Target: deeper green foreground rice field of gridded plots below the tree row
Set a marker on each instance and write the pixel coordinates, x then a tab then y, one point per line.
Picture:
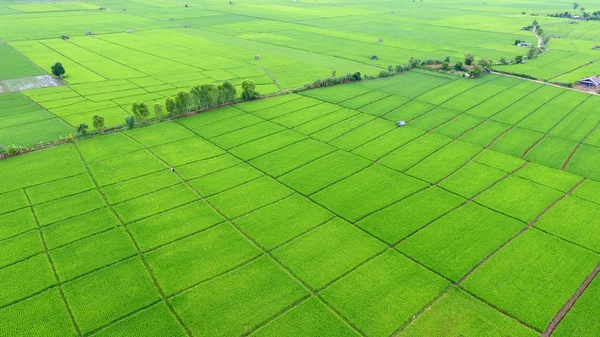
313	214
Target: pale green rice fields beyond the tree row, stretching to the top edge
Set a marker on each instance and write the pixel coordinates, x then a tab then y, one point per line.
298	41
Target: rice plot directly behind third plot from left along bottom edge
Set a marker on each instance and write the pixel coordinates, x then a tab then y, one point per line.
182	264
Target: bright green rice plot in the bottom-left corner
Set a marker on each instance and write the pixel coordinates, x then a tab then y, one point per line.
44	315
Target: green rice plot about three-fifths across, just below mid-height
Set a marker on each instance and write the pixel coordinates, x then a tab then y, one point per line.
367	191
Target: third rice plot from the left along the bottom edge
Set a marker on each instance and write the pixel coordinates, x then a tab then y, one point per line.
237	302
